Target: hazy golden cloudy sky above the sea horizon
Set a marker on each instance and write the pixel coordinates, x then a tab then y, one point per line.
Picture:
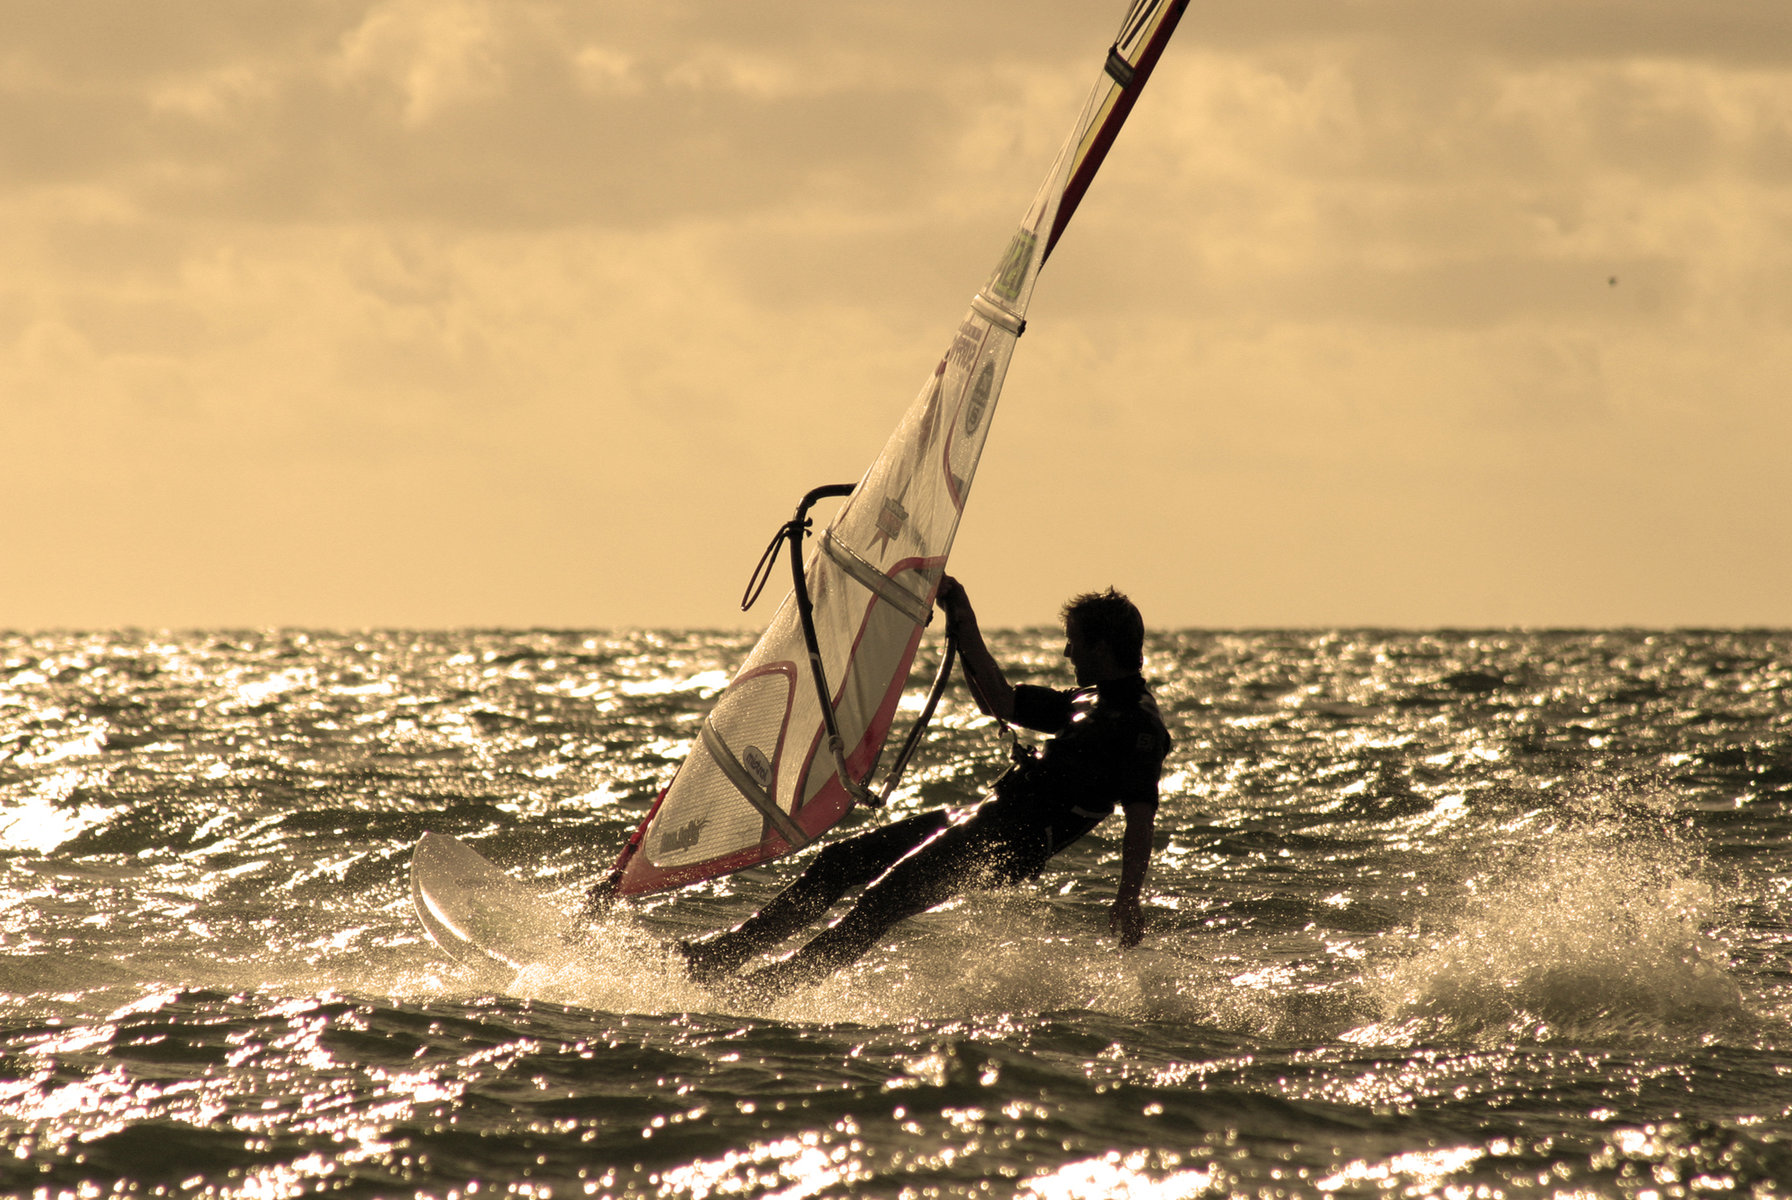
531	314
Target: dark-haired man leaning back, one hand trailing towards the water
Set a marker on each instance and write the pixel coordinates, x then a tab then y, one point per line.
1107	748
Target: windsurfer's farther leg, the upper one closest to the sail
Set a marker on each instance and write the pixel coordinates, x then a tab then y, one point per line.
838	870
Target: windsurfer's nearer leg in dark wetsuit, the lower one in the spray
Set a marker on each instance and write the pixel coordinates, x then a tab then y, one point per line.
979	853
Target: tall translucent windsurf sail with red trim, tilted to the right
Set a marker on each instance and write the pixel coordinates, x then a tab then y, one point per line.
766	776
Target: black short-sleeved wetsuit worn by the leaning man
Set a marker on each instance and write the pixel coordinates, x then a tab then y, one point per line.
1108	750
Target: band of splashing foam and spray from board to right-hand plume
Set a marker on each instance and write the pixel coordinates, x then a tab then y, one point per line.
1605	929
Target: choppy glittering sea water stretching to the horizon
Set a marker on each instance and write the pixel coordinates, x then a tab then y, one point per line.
1433	914
